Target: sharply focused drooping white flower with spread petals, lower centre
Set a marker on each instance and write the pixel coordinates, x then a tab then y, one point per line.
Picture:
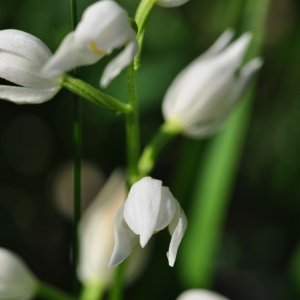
150	207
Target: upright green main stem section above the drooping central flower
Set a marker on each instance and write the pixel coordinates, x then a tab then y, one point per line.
132	129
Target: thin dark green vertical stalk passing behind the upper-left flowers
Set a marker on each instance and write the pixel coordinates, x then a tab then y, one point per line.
76	126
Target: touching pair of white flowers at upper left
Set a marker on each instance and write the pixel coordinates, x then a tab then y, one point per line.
26	61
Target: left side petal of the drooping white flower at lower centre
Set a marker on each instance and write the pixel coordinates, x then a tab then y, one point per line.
125	240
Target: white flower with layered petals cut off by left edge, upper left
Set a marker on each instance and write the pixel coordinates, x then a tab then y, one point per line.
22	57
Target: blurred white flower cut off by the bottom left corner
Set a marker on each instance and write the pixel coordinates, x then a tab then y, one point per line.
16	280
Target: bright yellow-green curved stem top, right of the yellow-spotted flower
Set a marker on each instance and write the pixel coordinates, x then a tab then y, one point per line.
141	17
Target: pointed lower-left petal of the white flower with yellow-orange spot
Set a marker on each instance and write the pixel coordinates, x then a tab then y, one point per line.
70	54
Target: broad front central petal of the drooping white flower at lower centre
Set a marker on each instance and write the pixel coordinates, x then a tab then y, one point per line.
142	208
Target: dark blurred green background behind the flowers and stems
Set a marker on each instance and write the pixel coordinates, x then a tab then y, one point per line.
259	254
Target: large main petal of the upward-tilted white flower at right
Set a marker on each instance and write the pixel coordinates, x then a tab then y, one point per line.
204	86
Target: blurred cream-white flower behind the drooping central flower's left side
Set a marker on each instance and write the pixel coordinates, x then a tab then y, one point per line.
96	234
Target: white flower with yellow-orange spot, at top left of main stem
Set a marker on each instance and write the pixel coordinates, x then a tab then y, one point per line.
104	27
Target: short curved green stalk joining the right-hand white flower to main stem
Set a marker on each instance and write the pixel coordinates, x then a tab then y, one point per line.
151	152
